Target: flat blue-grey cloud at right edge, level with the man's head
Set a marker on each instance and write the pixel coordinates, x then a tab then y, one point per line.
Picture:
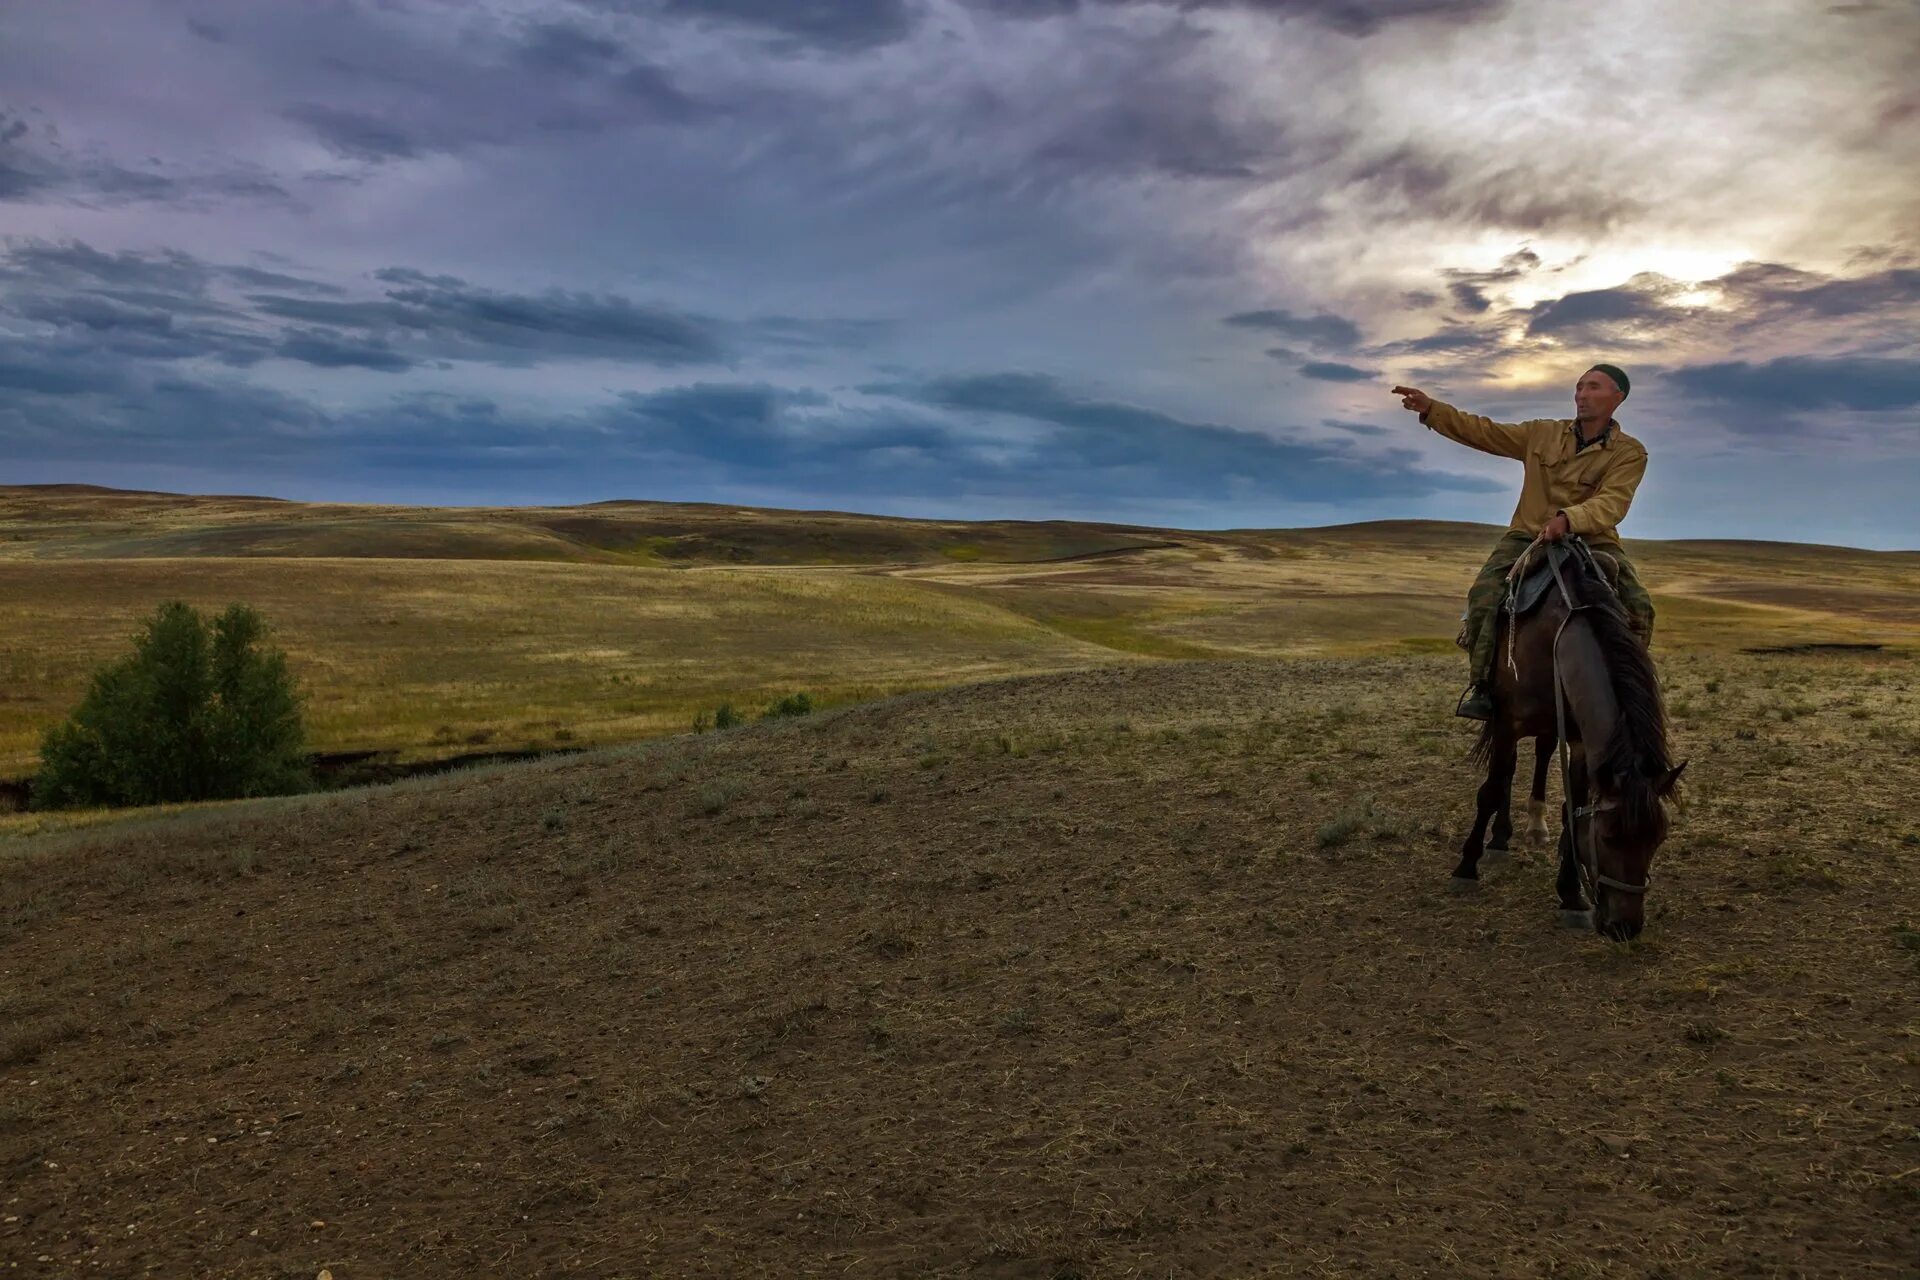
1802	383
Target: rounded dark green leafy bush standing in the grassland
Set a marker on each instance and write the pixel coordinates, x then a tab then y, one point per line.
195	713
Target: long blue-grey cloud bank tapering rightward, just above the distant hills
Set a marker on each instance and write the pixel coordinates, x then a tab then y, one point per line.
780	440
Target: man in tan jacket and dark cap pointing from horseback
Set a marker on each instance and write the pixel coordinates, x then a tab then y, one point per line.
1581	479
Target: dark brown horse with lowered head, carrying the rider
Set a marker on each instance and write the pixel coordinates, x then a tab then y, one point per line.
1573	669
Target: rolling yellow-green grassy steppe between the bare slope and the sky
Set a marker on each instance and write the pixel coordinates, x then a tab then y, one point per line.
429	632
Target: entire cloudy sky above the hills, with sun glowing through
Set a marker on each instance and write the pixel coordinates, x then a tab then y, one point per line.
1128	260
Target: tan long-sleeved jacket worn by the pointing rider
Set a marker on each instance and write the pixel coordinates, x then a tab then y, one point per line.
1593	486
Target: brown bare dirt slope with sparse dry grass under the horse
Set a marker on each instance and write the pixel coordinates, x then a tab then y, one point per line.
1132	972
